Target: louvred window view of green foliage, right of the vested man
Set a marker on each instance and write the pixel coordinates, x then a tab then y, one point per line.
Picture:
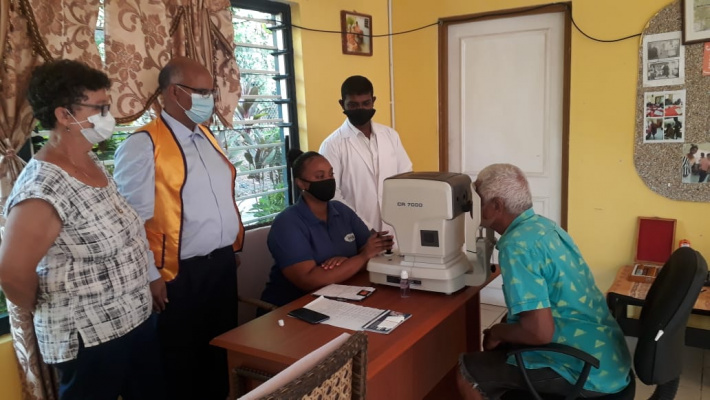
256	143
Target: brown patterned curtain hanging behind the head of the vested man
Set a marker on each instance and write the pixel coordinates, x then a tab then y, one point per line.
140	40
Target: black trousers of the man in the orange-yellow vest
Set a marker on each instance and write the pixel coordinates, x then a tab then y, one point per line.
202	304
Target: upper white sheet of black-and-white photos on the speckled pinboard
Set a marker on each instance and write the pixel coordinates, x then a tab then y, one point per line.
663	60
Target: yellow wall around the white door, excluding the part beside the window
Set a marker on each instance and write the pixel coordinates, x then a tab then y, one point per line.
606	194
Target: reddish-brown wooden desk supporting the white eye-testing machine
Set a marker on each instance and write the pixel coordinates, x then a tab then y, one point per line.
405	364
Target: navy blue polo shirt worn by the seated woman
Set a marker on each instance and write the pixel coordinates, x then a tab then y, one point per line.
297	235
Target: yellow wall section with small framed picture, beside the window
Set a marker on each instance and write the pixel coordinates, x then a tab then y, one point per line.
321	66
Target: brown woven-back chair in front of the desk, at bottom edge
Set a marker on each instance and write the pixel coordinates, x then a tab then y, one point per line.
342	374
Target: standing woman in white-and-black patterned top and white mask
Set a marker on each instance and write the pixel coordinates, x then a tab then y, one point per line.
74	252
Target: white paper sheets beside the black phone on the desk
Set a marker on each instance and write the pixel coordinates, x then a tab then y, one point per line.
354	317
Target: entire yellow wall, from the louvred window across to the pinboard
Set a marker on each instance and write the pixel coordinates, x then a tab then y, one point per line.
605	193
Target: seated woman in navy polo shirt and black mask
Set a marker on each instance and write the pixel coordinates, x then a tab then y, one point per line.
316	241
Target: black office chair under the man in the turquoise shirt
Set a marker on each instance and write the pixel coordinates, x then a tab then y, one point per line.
664	316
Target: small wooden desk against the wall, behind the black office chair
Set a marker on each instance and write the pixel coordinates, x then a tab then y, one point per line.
624	293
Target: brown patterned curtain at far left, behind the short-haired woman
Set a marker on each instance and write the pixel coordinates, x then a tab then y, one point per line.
38	30
